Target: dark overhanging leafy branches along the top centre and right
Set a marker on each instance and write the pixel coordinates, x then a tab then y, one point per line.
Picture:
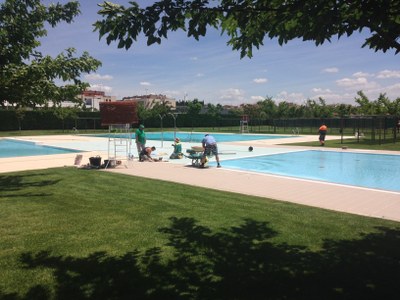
249	22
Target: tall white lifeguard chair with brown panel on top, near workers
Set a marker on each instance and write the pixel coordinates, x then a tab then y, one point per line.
118	116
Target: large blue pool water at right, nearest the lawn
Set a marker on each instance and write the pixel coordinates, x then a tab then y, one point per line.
375	171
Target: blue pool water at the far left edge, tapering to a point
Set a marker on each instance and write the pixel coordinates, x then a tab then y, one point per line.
11	148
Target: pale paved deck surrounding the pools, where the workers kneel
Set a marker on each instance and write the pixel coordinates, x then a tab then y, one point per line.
342	198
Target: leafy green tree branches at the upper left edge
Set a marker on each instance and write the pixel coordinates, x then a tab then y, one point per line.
27	77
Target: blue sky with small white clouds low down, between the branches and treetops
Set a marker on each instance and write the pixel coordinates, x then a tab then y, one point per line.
209	70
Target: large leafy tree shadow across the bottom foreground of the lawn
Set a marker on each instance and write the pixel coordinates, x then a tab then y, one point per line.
235	263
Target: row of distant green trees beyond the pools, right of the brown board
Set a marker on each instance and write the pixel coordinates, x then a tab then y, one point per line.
262	112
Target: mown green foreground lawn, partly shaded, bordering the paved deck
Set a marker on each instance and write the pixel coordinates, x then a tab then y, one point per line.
69	233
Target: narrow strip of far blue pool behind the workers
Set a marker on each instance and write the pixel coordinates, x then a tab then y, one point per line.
196	137
